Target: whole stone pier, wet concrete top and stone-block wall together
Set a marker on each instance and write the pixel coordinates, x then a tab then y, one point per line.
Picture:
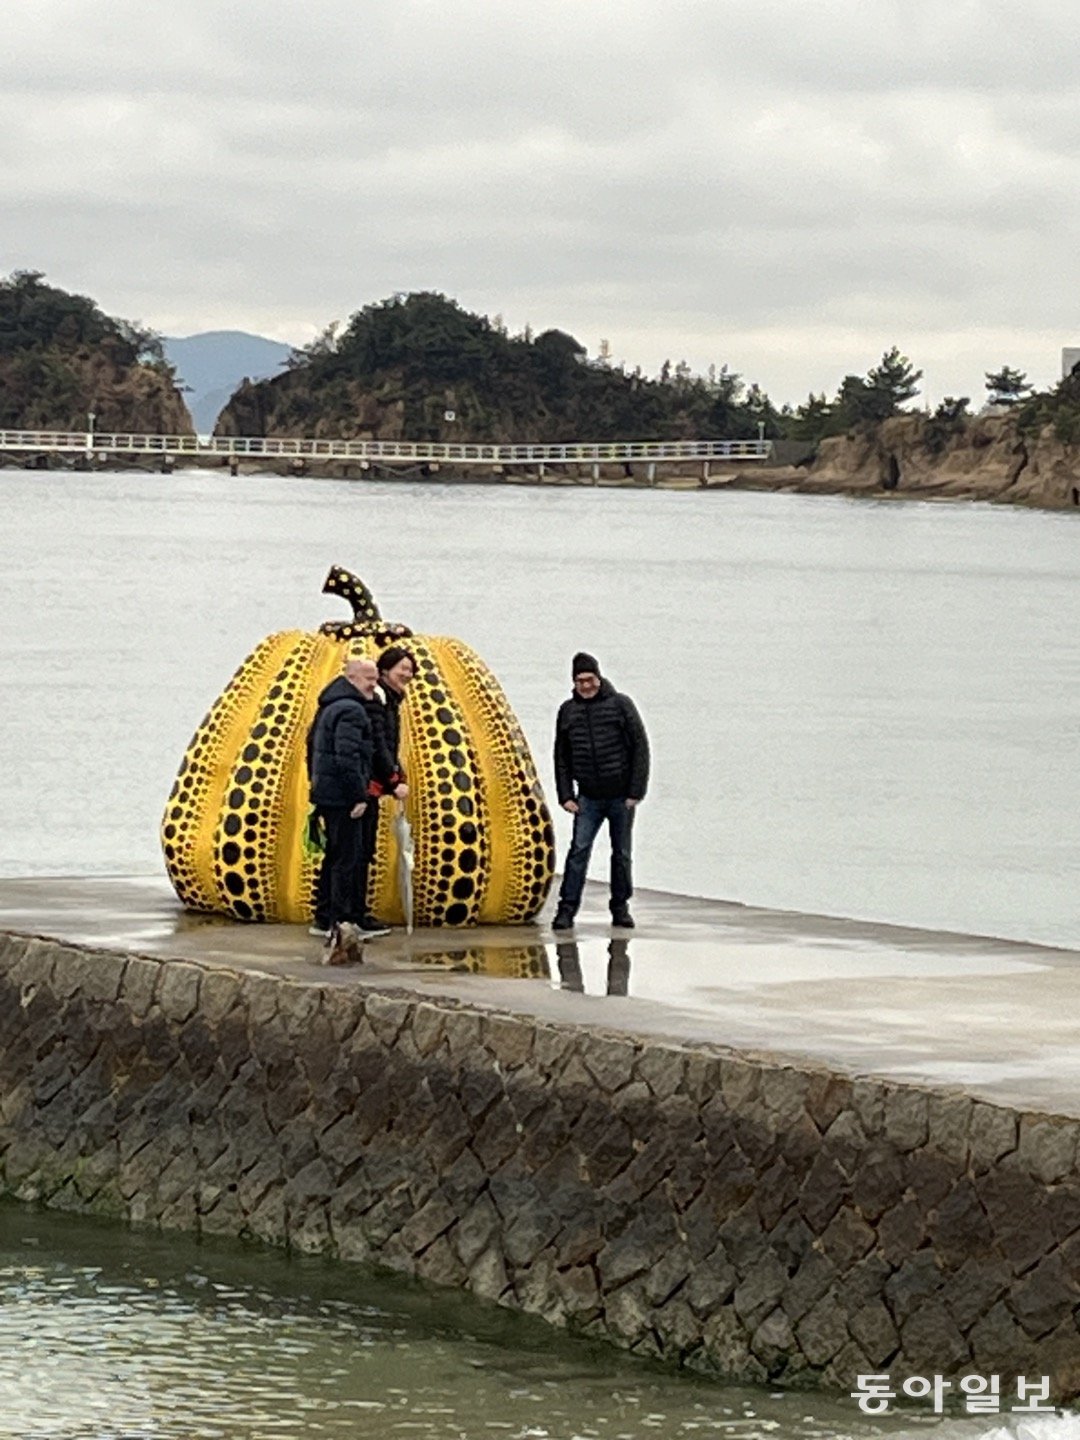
703	1197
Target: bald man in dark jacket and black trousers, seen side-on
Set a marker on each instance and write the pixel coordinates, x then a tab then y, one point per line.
341	757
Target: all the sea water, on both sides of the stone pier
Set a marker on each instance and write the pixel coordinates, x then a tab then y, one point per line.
862	709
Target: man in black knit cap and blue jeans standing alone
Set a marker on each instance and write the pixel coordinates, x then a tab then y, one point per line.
601	773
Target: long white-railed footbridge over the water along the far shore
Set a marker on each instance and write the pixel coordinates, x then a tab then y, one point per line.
102	447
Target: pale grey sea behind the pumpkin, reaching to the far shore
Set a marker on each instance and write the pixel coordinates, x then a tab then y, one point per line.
858	709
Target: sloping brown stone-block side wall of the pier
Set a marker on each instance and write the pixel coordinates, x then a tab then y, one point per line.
741	1216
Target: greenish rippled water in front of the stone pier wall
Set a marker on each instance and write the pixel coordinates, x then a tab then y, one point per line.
110	1336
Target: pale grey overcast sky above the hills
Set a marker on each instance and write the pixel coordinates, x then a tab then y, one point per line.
784	186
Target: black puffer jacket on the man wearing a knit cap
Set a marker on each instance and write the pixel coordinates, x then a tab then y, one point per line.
601	748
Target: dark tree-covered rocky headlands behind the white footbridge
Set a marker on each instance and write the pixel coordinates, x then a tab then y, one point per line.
421	368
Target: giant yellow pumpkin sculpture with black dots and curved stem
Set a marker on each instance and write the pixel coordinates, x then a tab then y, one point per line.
235	823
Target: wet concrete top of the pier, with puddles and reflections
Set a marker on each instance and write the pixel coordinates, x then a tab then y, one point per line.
997	1019
